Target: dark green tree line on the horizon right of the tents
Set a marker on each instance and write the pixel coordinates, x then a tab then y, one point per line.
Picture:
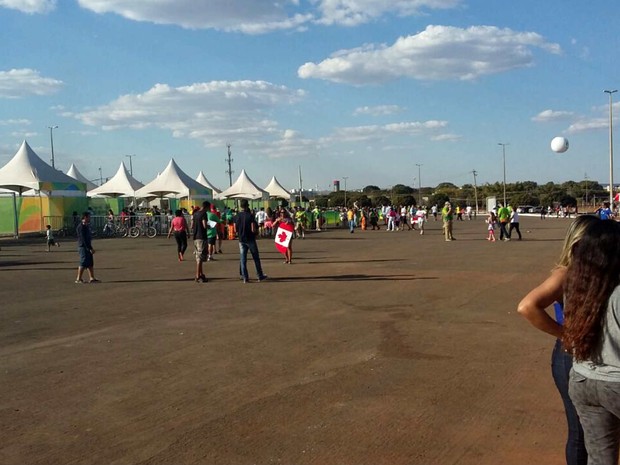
568	194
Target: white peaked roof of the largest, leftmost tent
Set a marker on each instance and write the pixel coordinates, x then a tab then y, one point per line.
27	171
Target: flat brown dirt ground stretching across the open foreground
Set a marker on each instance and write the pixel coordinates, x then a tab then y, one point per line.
372	348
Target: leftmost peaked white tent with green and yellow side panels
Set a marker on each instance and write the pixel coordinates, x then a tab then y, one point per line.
45	194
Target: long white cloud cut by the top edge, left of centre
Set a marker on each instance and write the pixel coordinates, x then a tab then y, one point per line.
248	16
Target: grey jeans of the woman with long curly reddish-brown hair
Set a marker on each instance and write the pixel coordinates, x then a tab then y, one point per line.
598	405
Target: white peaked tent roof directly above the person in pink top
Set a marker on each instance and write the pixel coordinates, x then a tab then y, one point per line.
173	181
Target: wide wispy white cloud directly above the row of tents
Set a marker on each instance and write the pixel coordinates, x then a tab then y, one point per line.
215	112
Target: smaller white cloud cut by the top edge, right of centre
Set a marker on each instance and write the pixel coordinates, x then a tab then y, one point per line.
354	12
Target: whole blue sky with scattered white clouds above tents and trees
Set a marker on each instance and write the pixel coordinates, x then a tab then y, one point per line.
363	89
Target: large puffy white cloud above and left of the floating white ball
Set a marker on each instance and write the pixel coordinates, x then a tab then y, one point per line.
437	53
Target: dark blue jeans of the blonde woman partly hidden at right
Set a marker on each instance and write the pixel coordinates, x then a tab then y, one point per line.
561	363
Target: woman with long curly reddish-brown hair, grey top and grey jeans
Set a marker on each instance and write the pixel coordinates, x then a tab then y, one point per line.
592	334
